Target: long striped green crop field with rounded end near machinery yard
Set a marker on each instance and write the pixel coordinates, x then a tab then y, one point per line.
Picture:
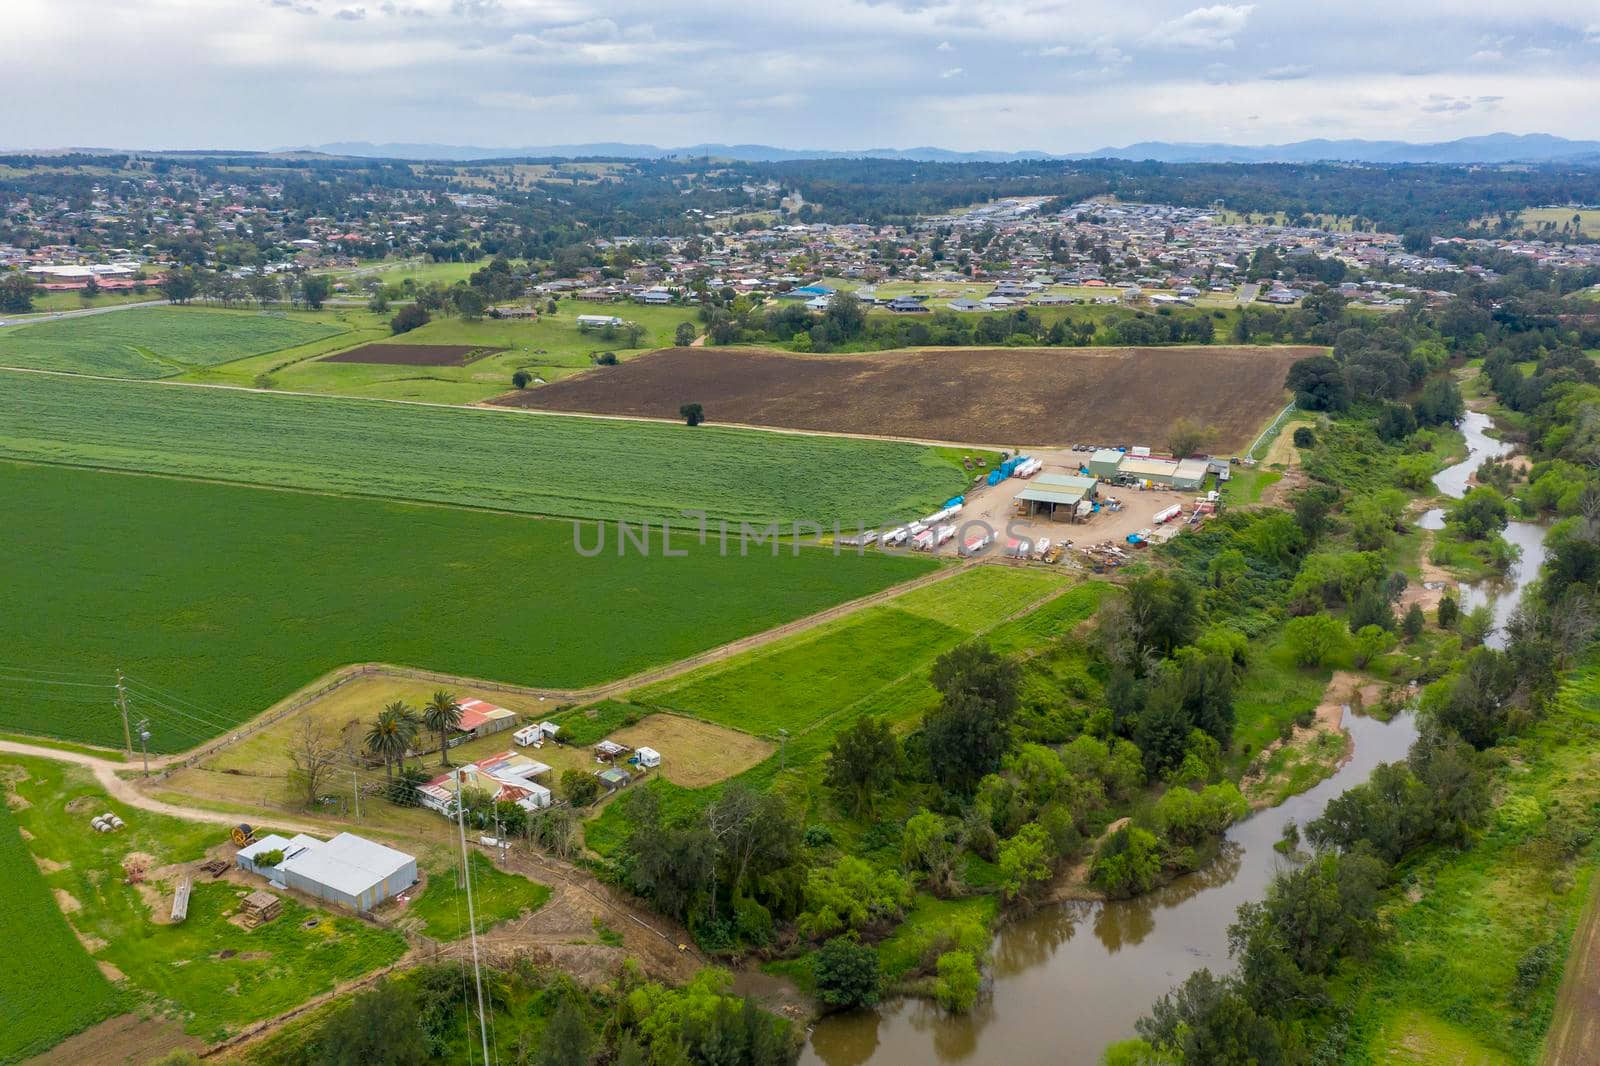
559	467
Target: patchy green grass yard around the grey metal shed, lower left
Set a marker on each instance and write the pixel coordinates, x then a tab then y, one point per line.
214	976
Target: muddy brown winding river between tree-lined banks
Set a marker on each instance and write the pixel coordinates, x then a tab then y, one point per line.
1073	979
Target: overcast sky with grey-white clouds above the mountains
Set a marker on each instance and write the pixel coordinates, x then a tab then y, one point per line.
841	74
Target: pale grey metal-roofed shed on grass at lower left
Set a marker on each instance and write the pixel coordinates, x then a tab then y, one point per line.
348	872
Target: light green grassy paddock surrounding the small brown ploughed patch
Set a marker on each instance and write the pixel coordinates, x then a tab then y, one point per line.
546	348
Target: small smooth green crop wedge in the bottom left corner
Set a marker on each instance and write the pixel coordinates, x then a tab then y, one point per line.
34	929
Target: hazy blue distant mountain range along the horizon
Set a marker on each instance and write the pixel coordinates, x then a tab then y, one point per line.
1495	148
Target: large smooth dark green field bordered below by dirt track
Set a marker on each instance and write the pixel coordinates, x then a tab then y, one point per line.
231	598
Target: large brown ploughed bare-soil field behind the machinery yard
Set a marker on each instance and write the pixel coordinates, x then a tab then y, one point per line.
1028	396
